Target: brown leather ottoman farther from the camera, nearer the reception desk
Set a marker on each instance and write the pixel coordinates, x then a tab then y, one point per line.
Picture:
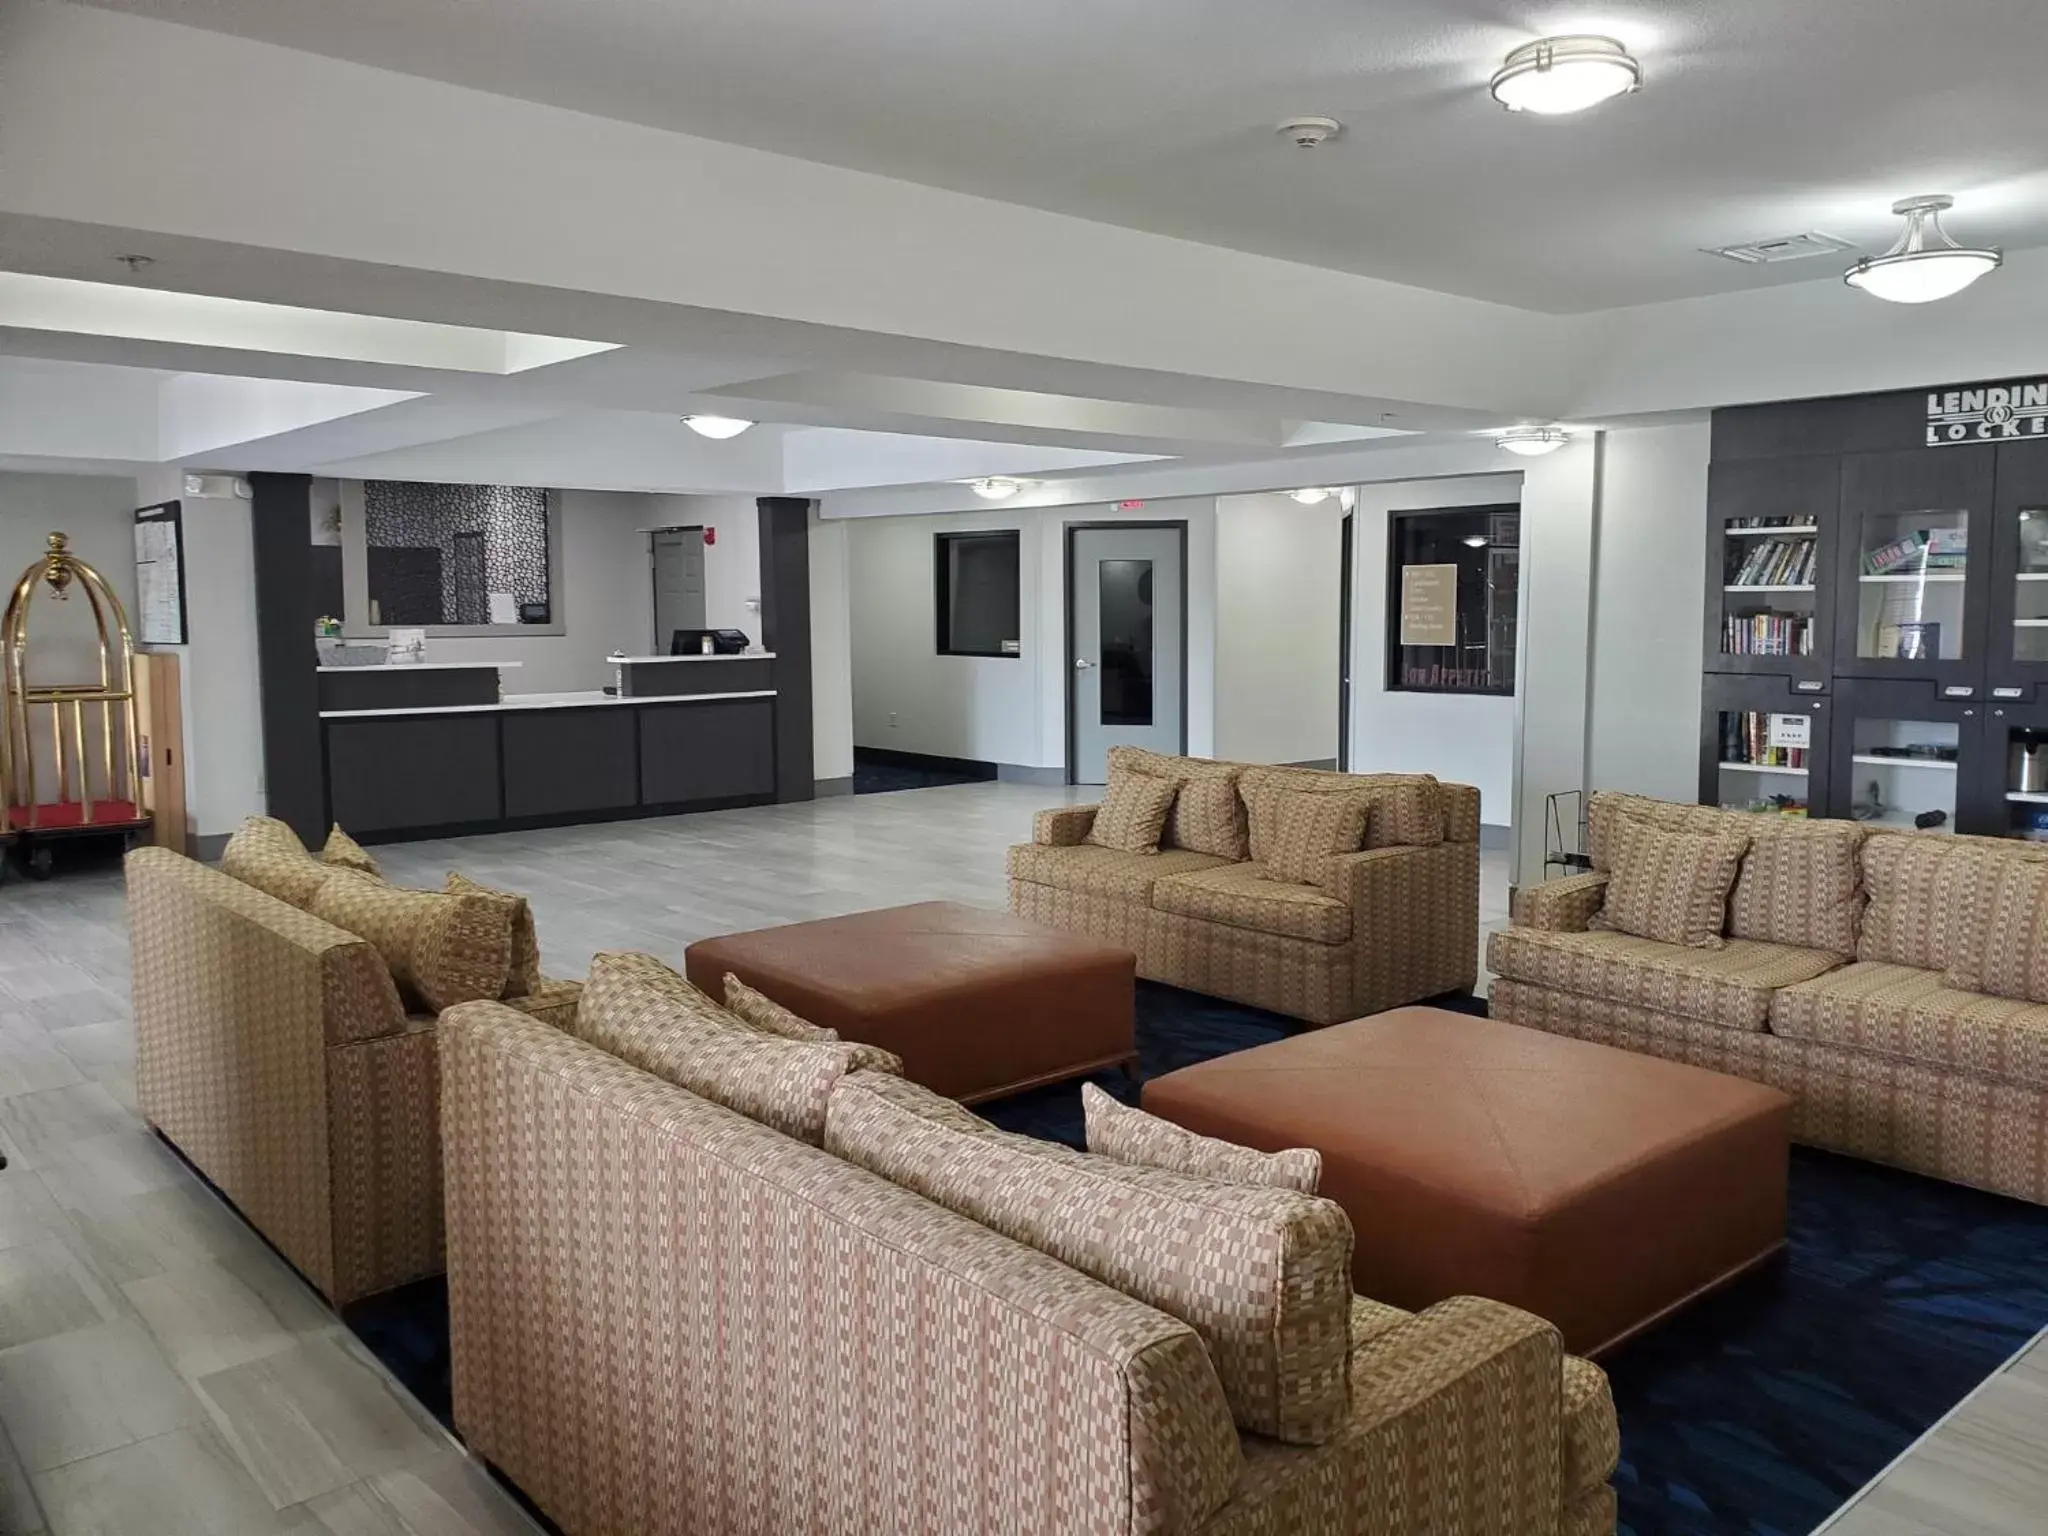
978	1005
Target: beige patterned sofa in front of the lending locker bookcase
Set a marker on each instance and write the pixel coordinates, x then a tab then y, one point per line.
1863	974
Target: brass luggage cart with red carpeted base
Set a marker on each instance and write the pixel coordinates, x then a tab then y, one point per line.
73	738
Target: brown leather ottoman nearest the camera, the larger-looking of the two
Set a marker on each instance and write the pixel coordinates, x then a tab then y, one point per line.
1592	1187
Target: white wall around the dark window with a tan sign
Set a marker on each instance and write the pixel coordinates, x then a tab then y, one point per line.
1461	738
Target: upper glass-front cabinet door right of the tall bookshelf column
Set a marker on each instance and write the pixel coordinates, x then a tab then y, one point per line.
1914	566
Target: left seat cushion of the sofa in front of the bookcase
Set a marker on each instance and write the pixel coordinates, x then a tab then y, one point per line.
1732	986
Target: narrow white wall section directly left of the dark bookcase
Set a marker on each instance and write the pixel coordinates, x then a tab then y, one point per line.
1650	609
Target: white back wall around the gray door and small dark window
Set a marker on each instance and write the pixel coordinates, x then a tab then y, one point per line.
996	708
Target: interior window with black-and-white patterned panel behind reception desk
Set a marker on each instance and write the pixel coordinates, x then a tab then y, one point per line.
439	552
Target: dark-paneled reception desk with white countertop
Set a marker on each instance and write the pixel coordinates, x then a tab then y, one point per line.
527	761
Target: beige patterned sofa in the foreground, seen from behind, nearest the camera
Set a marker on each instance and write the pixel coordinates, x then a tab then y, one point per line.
671	1318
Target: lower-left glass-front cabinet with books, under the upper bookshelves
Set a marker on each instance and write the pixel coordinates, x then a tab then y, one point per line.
1764	746
